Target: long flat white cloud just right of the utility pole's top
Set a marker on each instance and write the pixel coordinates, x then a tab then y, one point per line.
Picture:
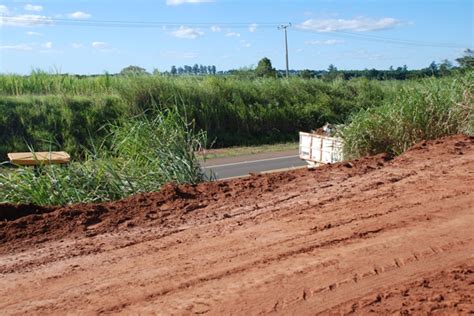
358	24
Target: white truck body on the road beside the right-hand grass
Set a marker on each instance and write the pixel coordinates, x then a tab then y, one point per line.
319	149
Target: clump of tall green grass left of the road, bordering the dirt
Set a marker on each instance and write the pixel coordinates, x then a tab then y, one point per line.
141	155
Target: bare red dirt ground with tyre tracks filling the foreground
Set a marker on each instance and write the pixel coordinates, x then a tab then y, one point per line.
374	235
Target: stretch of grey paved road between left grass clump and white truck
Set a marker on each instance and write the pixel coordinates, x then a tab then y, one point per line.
243	165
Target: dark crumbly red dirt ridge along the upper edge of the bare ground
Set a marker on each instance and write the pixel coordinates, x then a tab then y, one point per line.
168	208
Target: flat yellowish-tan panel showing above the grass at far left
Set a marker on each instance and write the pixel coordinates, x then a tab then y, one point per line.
39	158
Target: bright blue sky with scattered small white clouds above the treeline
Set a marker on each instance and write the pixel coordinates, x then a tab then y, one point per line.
80	36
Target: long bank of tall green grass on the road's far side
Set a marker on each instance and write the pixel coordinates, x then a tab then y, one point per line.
65	110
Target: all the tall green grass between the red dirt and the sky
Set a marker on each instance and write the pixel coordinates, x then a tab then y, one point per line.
133	134
